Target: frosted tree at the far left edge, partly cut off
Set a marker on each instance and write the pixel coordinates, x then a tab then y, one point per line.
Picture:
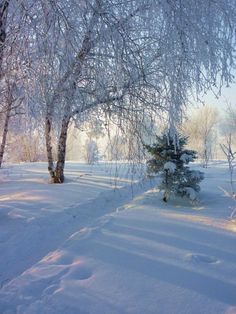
11	67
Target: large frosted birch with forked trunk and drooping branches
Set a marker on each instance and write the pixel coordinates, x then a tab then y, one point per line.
124	57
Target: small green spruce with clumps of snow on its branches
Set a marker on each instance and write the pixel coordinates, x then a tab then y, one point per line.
170	160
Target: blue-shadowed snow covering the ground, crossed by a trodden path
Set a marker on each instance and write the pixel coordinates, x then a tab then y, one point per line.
85	247
